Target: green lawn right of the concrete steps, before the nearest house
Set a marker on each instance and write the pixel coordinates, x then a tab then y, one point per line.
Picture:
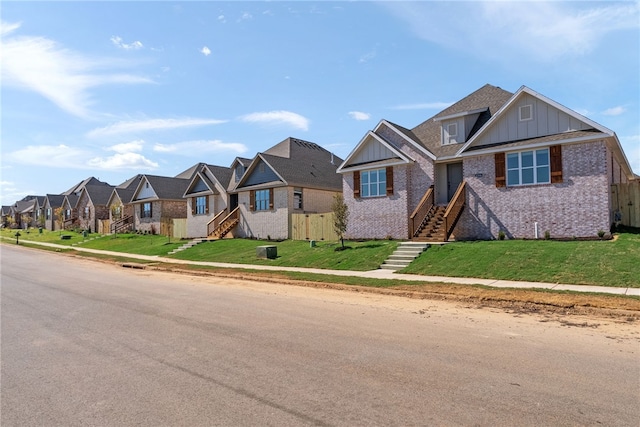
604	263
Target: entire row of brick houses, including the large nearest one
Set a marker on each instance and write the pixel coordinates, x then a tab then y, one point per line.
494	163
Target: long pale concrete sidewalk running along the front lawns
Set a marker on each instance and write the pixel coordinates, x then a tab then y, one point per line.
373	274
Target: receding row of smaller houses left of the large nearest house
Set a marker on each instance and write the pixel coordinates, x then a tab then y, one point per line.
251	198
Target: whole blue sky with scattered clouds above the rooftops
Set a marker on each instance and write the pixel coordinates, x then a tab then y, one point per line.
112	89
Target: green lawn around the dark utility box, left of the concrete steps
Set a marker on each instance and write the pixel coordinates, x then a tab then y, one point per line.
361	256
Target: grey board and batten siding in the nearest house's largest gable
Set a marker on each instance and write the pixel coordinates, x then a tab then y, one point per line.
547	120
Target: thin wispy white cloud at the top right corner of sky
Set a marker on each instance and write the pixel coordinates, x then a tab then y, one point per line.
538	30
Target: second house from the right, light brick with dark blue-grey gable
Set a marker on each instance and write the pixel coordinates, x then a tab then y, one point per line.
294	176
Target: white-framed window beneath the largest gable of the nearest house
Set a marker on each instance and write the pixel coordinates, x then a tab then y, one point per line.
528	167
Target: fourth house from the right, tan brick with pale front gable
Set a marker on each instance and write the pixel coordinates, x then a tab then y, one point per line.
157	200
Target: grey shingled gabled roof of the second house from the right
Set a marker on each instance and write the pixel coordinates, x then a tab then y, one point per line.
296	162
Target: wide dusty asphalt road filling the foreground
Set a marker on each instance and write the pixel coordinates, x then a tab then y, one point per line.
89	344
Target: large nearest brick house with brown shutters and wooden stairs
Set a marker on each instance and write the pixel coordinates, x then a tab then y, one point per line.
494	162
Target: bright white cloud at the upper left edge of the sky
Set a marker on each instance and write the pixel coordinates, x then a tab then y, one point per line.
64	77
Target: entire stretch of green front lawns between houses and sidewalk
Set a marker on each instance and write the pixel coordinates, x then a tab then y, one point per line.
604	263
